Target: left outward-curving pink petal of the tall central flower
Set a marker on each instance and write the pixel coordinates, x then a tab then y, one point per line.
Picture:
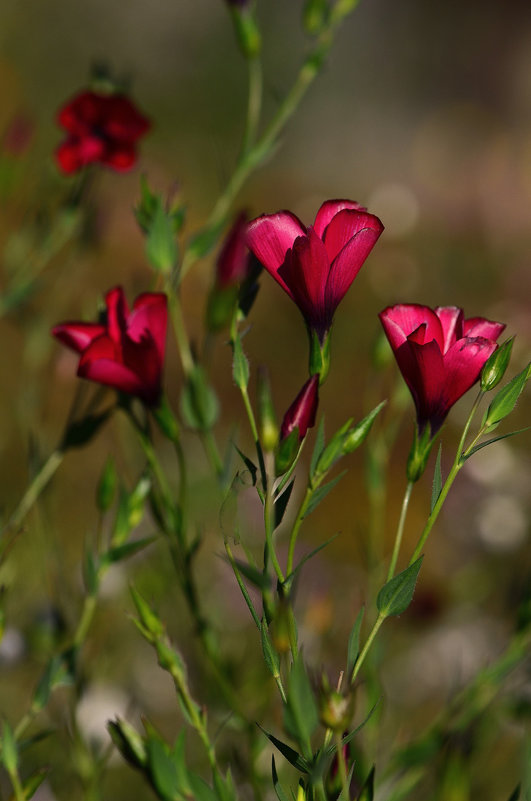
270	237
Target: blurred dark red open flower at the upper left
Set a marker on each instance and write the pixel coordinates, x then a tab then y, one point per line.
101	128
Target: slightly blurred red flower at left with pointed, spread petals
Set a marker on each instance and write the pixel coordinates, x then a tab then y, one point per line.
126	351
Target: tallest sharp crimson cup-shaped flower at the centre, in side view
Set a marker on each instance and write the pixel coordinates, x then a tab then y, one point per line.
315	265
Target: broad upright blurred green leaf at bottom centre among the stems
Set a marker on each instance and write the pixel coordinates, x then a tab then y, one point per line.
300	712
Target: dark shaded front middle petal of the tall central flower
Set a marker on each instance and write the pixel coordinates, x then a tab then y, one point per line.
305	272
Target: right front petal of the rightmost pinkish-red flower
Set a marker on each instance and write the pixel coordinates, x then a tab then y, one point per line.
463	364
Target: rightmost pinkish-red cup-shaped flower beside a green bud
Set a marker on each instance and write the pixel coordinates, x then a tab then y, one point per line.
439	353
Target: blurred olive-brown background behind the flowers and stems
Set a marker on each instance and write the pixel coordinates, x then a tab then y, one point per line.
423	114
